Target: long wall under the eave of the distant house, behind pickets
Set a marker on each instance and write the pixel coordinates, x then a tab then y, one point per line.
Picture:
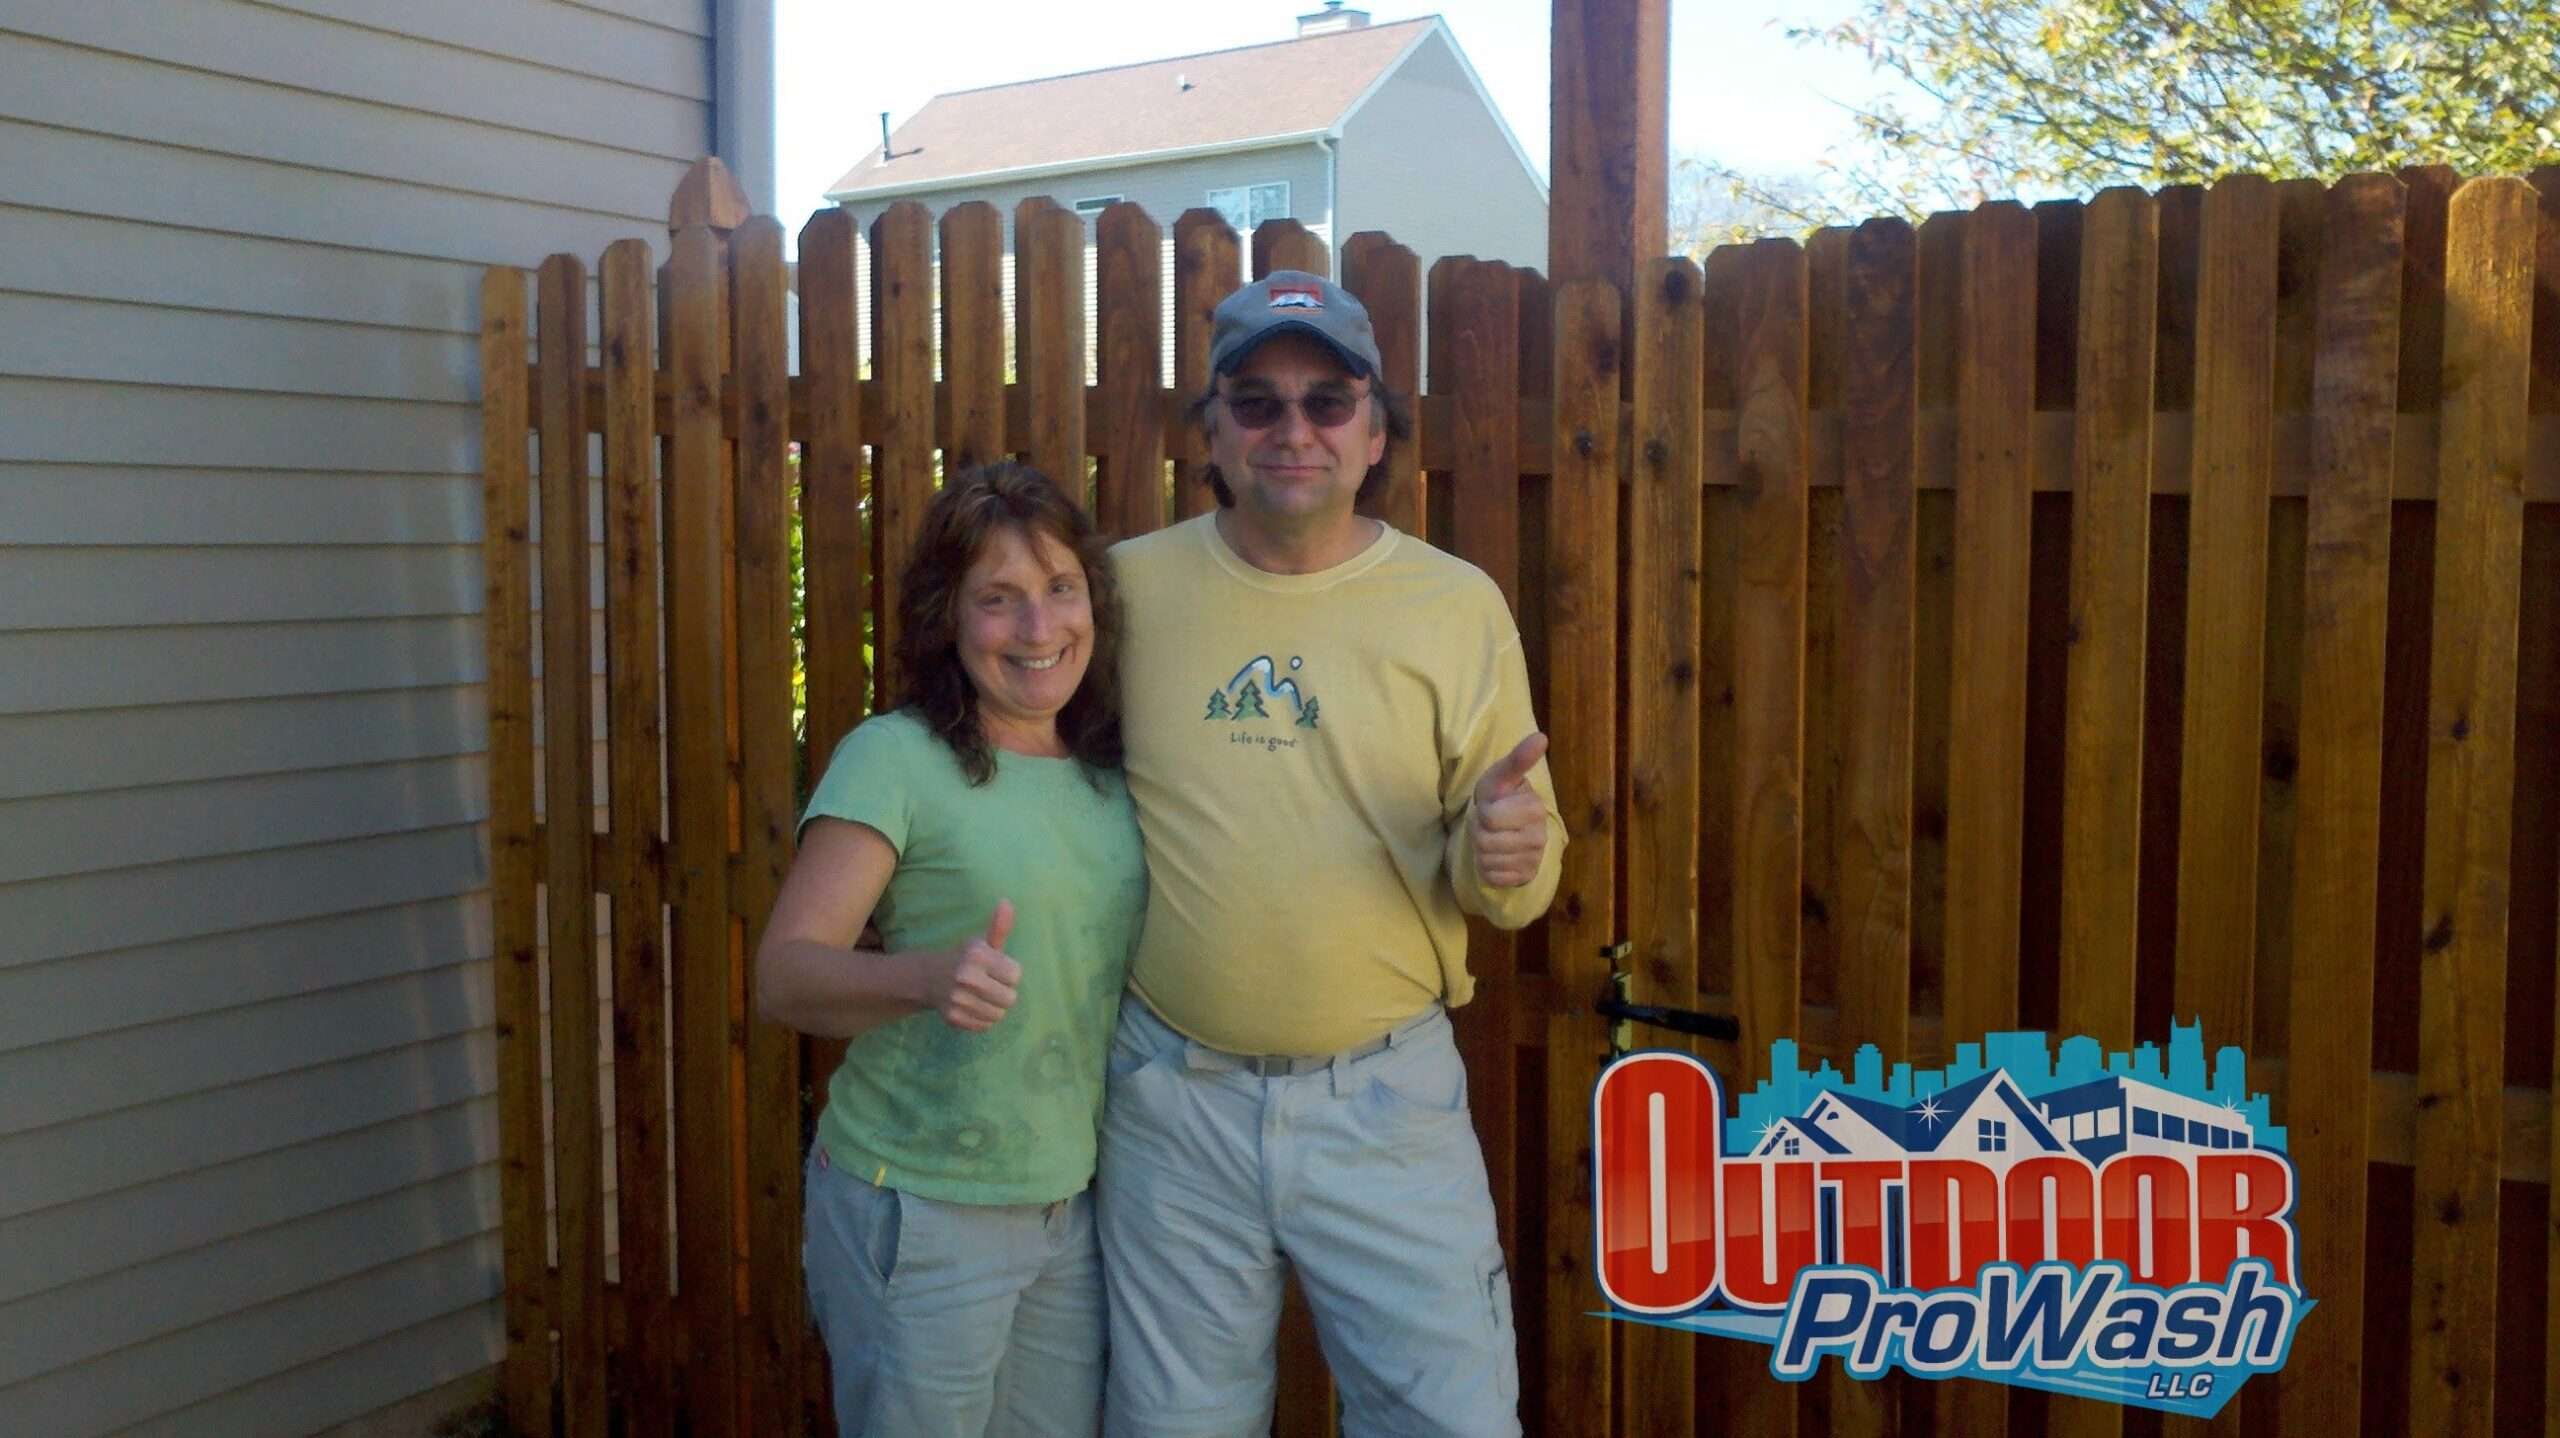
1164	191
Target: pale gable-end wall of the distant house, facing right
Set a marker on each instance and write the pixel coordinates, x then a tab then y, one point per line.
1427	162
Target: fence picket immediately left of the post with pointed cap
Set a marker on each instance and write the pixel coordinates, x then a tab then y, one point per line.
631	871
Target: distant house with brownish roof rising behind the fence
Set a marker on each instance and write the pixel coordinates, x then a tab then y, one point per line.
1348	127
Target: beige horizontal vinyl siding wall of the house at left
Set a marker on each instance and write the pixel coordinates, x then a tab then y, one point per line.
247	1071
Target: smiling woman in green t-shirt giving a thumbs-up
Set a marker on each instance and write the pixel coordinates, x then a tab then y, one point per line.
987	833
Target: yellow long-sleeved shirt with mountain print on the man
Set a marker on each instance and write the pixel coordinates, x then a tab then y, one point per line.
1304	754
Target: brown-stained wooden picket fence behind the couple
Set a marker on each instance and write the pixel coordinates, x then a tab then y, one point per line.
2036	618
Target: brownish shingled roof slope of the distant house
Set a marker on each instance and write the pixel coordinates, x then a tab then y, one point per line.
1169	106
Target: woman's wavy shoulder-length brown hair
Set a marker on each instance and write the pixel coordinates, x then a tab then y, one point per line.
959	526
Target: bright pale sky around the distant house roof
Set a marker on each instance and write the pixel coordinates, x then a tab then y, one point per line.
1742	91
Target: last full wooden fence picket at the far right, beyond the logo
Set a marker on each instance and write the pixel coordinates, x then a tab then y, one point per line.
2490	255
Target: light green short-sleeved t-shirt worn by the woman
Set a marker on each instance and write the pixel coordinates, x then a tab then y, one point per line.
1007	1114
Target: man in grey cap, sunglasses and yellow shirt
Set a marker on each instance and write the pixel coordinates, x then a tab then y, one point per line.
1335	761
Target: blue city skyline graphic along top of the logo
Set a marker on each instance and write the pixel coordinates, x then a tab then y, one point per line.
2031	1066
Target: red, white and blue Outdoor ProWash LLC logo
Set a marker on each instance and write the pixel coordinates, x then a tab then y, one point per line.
2070	1222
